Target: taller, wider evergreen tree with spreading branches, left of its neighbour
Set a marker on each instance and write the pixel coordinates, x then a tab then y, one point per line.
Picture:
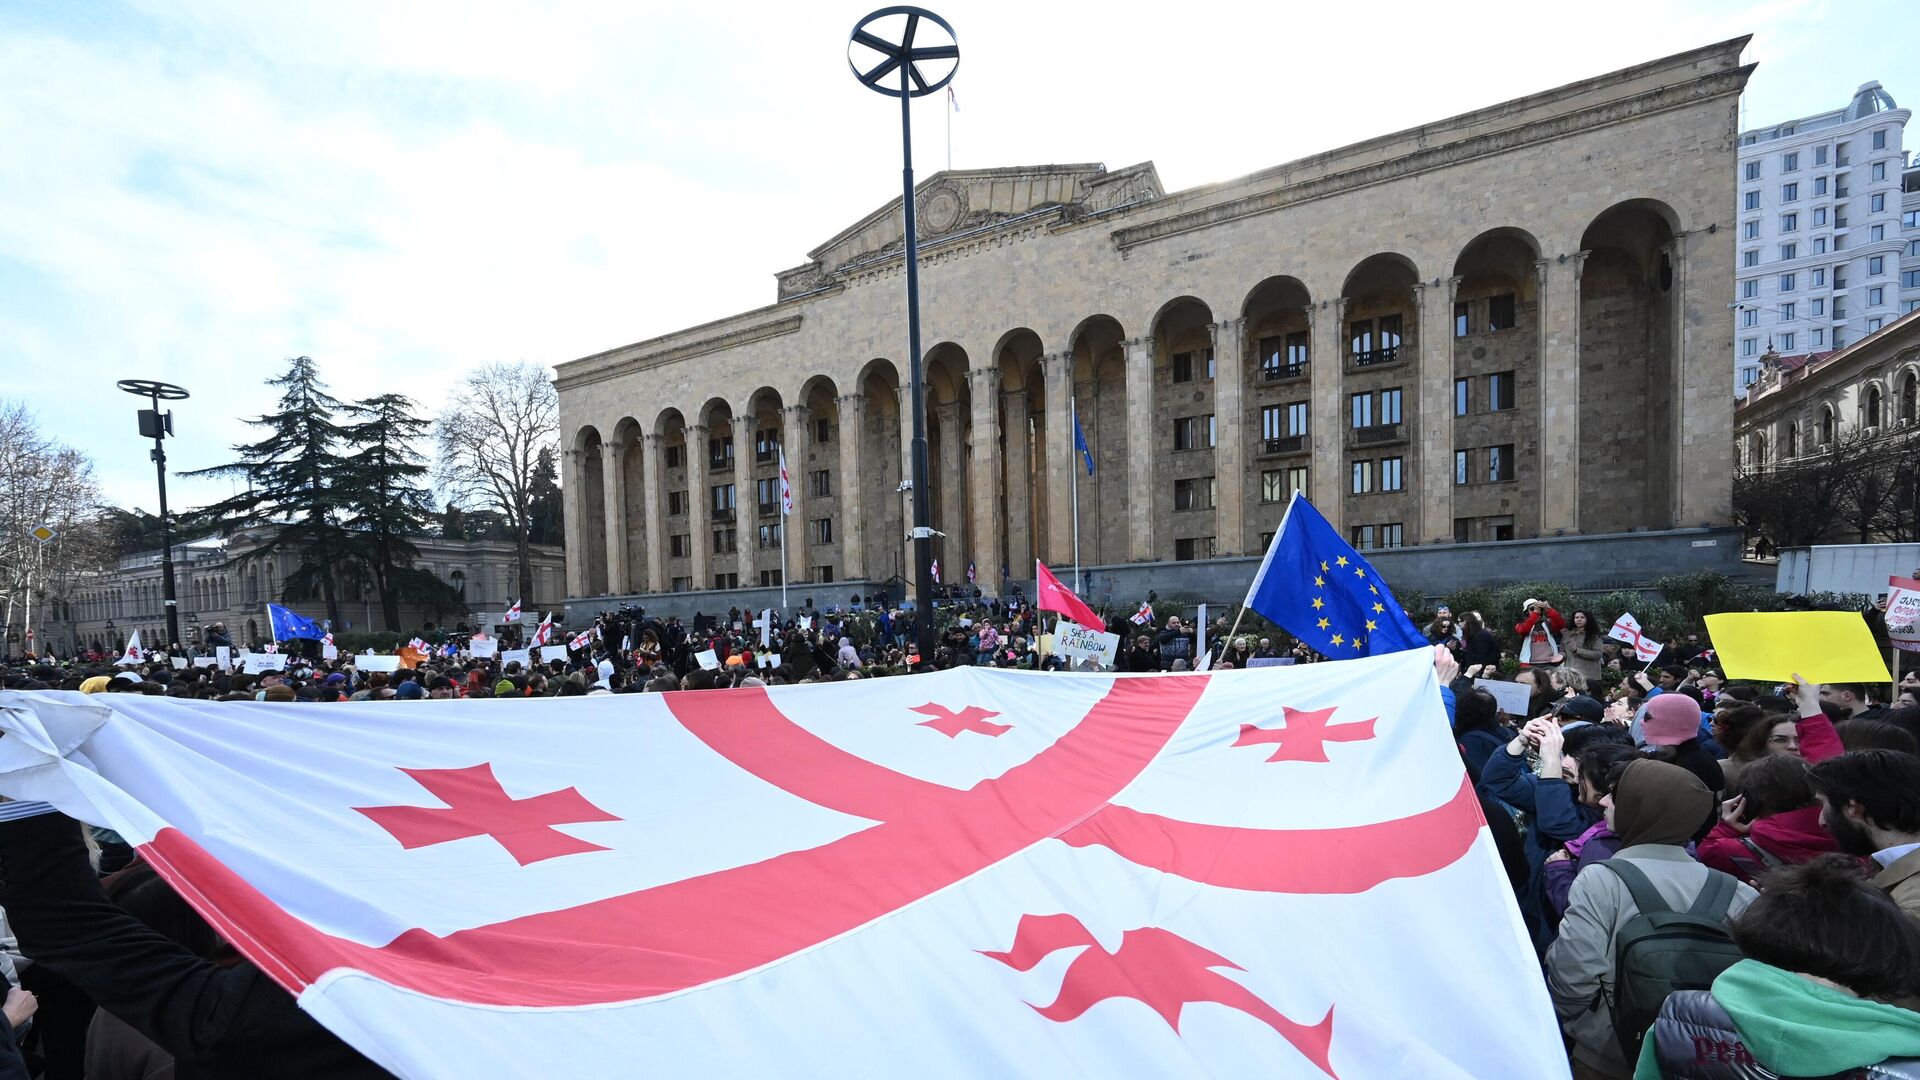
291	485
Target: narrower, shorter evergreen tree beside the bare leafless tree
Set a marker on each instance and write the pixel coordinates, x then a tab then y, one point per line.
381	497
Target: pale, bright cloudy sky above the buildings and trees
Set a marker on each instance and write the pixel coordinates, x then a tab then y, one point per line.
197	191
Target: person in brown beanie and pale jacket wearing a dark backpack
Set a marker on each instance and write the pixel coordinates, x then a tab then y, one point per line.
1641	925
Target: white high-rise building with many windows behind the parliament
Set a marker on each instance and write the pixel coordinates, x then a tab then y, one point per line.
1829	232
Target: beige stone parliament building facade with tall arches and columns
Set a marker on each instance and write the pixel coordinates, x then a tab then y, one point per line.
1558	264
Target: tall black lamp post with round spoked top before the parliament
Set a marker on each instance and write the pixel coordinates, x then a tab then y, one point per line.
919	70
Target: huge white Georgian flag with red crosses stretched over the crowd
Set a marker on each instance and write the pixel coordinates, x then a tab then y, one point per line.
974	873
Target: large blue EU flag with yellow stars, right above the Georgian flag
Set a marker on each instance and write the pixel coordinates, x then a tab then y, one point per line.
1318	589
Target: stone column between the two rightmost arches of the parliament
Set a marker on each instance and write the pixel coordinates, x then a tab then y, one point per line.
1560	395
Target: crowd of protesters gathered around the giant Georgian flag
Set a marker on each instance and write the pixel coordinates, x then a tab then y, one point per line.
1723	879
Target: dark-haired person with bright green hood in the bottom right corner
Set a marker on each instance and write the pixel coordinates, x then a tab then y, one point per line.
1829	987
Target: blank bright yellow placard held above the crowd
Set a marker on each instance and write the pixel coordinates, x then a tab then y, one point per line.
1819	647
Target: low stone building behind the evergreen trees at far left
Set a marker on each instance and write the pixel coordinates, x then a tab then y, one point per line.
226	581
